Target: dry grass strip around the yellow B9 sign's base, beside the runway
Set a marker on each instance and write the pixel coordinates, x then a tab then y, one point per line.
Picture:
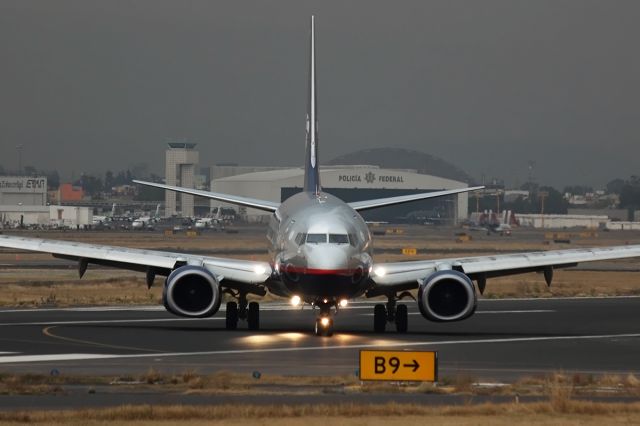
557	387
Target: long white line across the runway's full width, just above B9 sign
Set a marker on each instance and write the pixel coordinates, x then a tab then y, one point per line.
70	357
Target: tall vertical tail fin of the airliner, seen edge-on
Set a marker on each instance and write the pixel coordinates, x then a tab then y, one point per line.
311	166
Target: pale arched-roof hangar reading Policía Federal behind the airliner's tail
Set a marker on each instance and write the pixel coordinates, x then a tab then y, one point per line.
351	183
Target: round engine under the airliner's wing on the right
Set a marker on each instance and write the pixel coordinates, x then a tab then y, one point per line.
447	296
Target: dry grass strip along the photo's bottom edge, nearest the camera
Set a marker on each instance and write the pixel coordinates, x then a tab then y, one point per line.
573	412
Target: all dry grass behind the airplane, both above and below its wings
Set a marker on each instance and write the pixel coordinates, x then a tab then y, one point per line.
42	287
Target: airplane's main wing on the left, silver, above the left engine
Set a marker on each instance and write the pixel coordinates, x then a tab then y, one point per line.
152	262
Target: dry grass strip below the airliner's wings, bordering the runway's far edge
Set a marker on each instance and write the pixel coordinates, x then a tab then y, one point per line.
33	288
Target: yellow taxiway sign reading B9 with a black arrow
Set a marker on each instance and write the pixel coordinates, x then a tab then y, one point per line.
411	366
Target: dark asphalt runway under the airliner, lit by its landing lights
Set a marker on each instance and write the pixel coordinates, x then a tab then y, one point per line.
503	340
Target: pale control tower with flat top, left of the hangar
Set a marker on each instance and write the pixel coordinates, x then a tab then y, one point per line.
181	162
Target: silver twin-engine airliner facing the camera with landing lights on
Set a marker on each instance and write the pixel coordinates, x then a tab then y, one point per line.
321	254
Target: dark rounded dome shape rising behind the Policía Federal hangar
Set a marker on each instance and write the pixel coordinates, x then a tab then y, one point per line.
397	158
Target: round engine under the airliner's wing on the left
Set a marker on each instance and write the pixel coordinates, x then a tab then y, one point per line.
192	291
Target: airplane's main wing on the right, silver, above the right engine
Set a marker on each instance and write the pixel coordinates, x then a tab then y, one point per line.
409	274
